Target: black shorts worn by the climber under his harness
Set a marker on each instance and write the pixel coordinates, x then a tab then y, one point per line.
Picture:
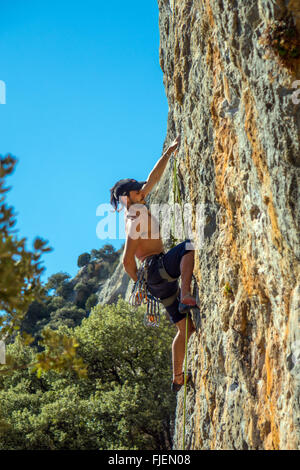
162	288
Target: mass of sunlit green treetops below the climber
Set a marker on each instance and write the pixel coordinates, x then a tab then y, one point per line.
121	400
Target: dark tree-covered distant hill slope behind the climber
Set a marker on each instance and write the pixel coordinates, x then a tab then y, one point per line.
68	300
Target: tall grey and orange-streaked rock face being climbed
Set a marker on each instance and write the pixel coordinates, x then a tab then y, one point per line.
240	158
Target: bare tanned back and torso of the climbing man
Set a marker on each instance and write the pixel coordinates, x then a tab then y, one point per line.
148	243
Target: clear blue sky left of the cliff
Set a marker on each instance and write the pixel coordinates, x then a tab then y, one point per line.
85	107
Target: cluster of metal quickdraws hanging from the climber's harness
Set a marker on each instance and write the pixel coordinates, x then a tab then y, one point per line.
140	295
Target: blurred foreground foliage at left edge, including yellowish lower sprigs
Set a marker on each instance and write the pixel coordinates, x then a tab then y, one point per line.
21	290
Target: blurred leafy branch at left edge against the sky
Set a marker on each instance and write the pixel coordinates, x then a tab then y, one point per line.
20	269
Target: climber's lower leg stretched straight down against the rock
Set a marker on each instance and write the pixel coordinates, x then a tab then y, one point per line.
178	349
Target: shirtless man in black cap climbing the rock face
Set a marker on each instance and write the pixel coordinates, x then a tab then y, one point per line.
179	261
